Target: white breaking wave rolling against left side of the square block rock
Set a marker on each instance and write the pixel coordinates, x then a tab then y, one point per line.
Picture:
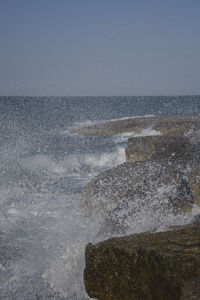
74	165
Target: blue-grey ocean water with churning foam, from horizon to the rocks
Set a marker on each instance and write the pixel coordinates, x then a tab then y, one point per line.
43	169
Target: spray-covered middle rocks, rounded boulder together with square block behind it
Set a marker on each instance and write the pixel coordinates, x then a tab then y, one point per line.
162	175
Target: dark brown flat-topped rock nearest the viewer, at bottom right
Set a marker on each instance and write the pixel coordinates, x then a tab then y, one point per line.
160	266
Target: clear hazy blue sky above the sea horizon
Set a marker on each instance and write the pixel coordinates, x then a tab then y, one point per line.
99	47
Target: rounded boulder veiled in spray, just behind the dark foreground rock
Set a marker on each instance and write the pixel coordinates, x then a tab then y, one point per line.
132	189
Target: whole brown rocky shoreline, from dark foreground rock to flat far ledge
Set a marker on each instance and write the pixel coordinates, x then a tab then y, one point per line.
161	177
